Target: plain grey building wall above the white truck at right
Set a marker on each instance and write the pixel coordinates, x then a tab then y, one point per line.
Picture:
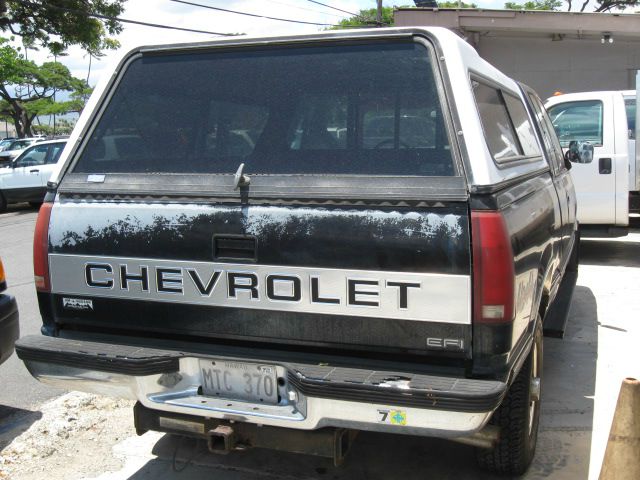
568	65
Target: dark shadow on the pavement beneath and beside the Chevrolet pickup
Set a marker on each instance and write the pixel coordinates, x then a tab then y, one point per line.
563	445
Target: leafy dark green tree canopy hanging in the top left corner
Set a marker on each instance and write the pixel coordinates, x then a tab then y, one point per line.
57	24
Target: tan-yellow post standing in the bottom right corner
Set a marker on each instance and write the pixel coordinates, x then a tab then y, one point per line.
622	457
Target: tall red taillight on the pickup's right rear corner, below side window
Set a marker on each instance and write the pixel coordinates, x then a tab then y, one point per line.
493	270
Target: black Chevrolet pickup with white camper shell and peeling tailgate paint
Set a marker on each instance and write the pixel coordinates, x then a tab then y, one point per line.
278	242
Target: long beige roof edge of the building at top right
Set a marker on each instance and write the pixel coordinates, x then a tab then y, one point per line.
524	22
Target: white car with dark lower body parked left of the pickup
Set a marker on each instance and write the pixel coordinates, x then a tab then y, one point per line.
25	179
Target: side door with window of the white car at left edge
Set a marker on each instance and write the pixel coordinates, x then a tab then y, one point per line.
24	182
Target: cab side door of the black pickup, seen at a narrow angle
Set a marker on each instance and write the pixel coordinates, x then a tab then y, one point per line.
561	178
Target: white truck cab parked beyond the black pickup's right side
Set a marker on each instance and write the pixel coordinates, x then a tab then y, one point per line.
607	179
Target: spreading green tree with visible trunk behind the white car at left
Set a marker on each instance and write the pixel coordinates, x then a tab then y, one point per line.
28	90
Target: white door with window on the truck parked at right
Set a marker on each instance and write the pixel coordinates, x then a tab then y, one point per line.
590	120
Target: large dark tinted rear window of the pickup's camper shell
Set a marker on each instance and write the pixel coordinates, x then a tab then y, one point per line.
366	109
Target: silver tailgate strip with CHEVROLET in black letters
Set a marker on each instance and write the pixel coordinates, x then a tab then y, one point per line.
427	297
